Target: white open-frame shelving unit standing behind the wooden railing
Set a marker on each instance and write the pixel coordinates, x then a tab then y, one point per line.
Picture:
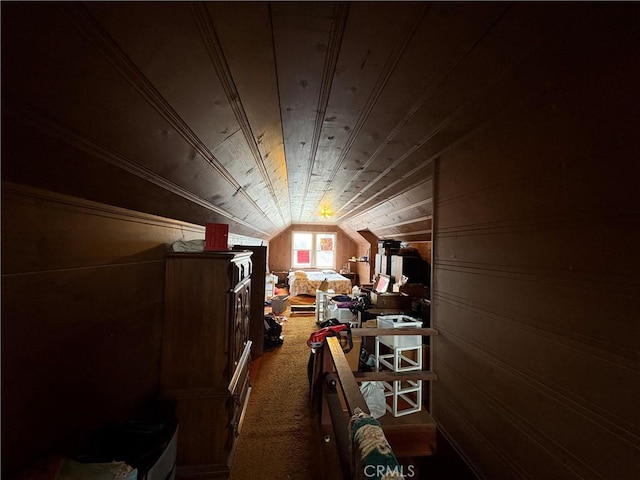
400	353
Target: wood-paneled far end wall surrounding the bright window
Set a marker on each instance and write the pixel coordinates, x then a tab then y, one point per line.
280	246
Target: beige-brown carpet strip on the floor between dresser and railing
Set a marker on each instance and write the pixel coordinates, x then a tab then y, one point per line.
279	439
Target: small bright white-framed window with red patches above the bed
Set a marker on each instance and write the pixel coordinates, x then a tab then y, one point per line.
313	250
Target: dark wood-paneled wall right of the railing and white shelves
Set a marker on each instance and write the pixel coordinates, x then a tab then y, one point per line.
536	273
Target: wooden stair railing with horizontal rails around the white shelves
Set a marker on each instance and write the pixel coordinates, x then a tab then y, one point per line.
335	393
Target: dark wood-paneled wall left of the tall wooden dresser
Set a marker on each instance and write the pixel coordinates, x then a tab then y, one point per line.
82	306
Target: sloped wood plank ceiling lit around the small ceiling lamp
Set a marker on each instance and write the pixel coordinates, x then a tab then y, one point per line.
260	114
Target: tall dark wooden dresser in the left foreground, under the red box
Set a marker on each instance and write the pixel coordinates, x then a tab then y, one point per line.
206	352
